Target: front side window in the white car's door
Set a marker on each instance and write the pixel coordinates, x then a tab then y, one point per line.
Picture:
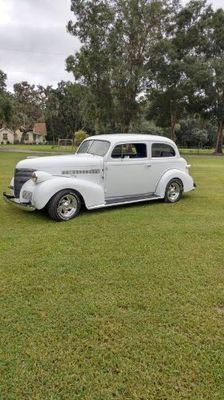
129	150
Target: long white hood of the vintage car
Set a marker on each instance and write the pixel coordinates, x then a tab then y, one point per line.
57	164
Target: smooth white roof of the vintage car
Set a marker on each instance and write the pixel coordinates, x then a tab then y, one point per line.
131	137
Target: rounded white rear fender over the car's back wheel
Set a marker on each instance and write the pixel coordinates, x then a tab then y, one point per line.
185	178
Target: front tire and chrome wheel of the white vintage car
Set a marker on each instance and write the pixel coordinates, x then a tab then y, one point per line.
64	205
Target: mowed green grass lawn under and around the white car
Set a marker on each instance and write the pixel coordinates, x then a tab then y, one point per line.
122	303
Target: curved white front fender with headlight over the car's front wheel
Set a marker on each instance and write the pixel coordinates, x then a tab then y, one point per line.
92	193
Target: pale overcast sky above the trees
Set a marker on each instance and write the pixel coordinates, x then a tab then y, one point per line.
34	42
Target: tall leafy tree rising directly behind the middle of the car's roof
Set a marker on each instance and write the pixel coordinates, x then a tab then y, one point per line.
137	25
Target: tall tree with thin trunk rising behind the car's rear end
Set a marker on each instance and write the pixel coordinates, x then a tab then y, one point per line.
170	85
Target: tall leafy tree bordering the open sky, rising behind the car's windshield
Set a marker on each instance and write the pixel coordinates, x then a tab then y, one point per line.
90	65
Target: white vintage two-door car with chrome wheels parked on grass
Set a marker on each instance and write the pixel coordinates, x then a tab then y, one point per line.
106	170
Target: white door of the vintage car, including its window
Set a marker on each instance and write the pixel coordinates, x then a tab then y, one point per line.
127	171
